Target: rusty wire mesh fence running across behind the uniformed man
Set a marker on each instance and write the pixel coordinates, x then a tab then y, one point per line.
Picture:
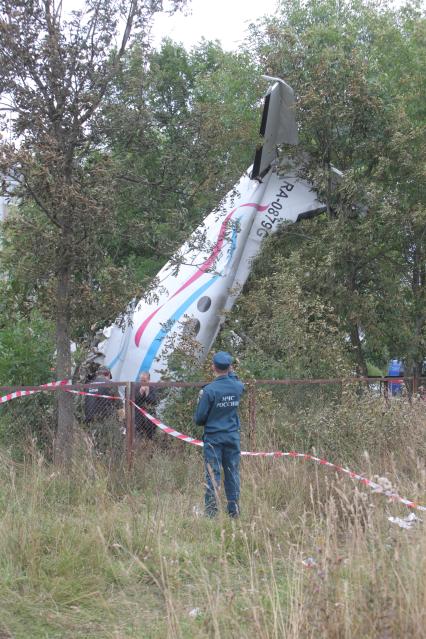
108	412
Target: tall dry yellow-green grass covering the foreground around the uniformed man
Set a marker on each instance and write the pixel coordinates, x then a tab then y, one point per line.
106	553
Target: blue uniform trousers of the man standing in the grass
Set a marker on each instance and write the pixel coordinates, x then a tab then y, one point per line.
222	450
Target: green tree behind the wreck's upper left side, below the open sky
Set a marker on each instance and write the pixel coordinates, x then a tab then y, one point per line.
180	136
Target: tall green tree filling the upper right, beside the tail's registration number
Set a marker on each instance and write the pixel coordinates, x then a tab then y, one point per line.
356	70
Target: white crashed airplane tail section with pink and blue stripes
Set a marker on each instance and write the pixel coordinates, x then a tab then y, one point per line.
208	271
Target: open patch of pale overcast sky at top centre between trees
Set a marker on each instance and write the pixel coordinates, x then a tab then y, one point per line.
224	20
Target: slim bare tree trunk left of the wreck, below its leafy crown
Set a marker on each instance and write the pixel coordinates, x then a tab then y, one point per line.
65	431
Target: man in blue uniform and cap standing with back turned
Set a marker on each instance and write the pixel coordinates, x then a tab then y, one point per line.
217	411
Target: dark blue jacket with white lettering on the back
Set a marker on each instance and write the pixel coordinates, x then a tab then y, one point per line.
218	402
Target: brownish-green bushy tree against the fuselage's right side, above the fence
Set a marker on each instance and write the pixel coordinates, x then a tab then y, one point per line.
283	332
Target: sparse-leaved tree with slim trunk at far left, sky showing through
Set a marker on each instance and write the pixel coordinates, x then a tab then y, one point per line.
54	75
